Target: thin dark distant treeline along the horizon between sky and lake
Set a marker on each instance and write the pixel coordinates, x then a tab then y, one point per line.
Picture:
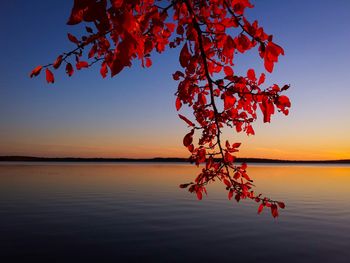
151	160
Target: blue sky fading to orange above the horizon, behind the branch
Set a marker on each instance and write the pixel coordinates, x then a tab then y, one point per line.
133	114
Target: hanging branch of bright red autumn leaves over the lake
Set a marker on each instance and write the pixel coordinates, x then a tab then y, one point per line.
204	30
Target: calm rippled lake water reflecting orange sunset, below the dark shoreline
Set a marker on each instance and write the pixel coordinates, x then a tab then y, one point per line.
137	213
